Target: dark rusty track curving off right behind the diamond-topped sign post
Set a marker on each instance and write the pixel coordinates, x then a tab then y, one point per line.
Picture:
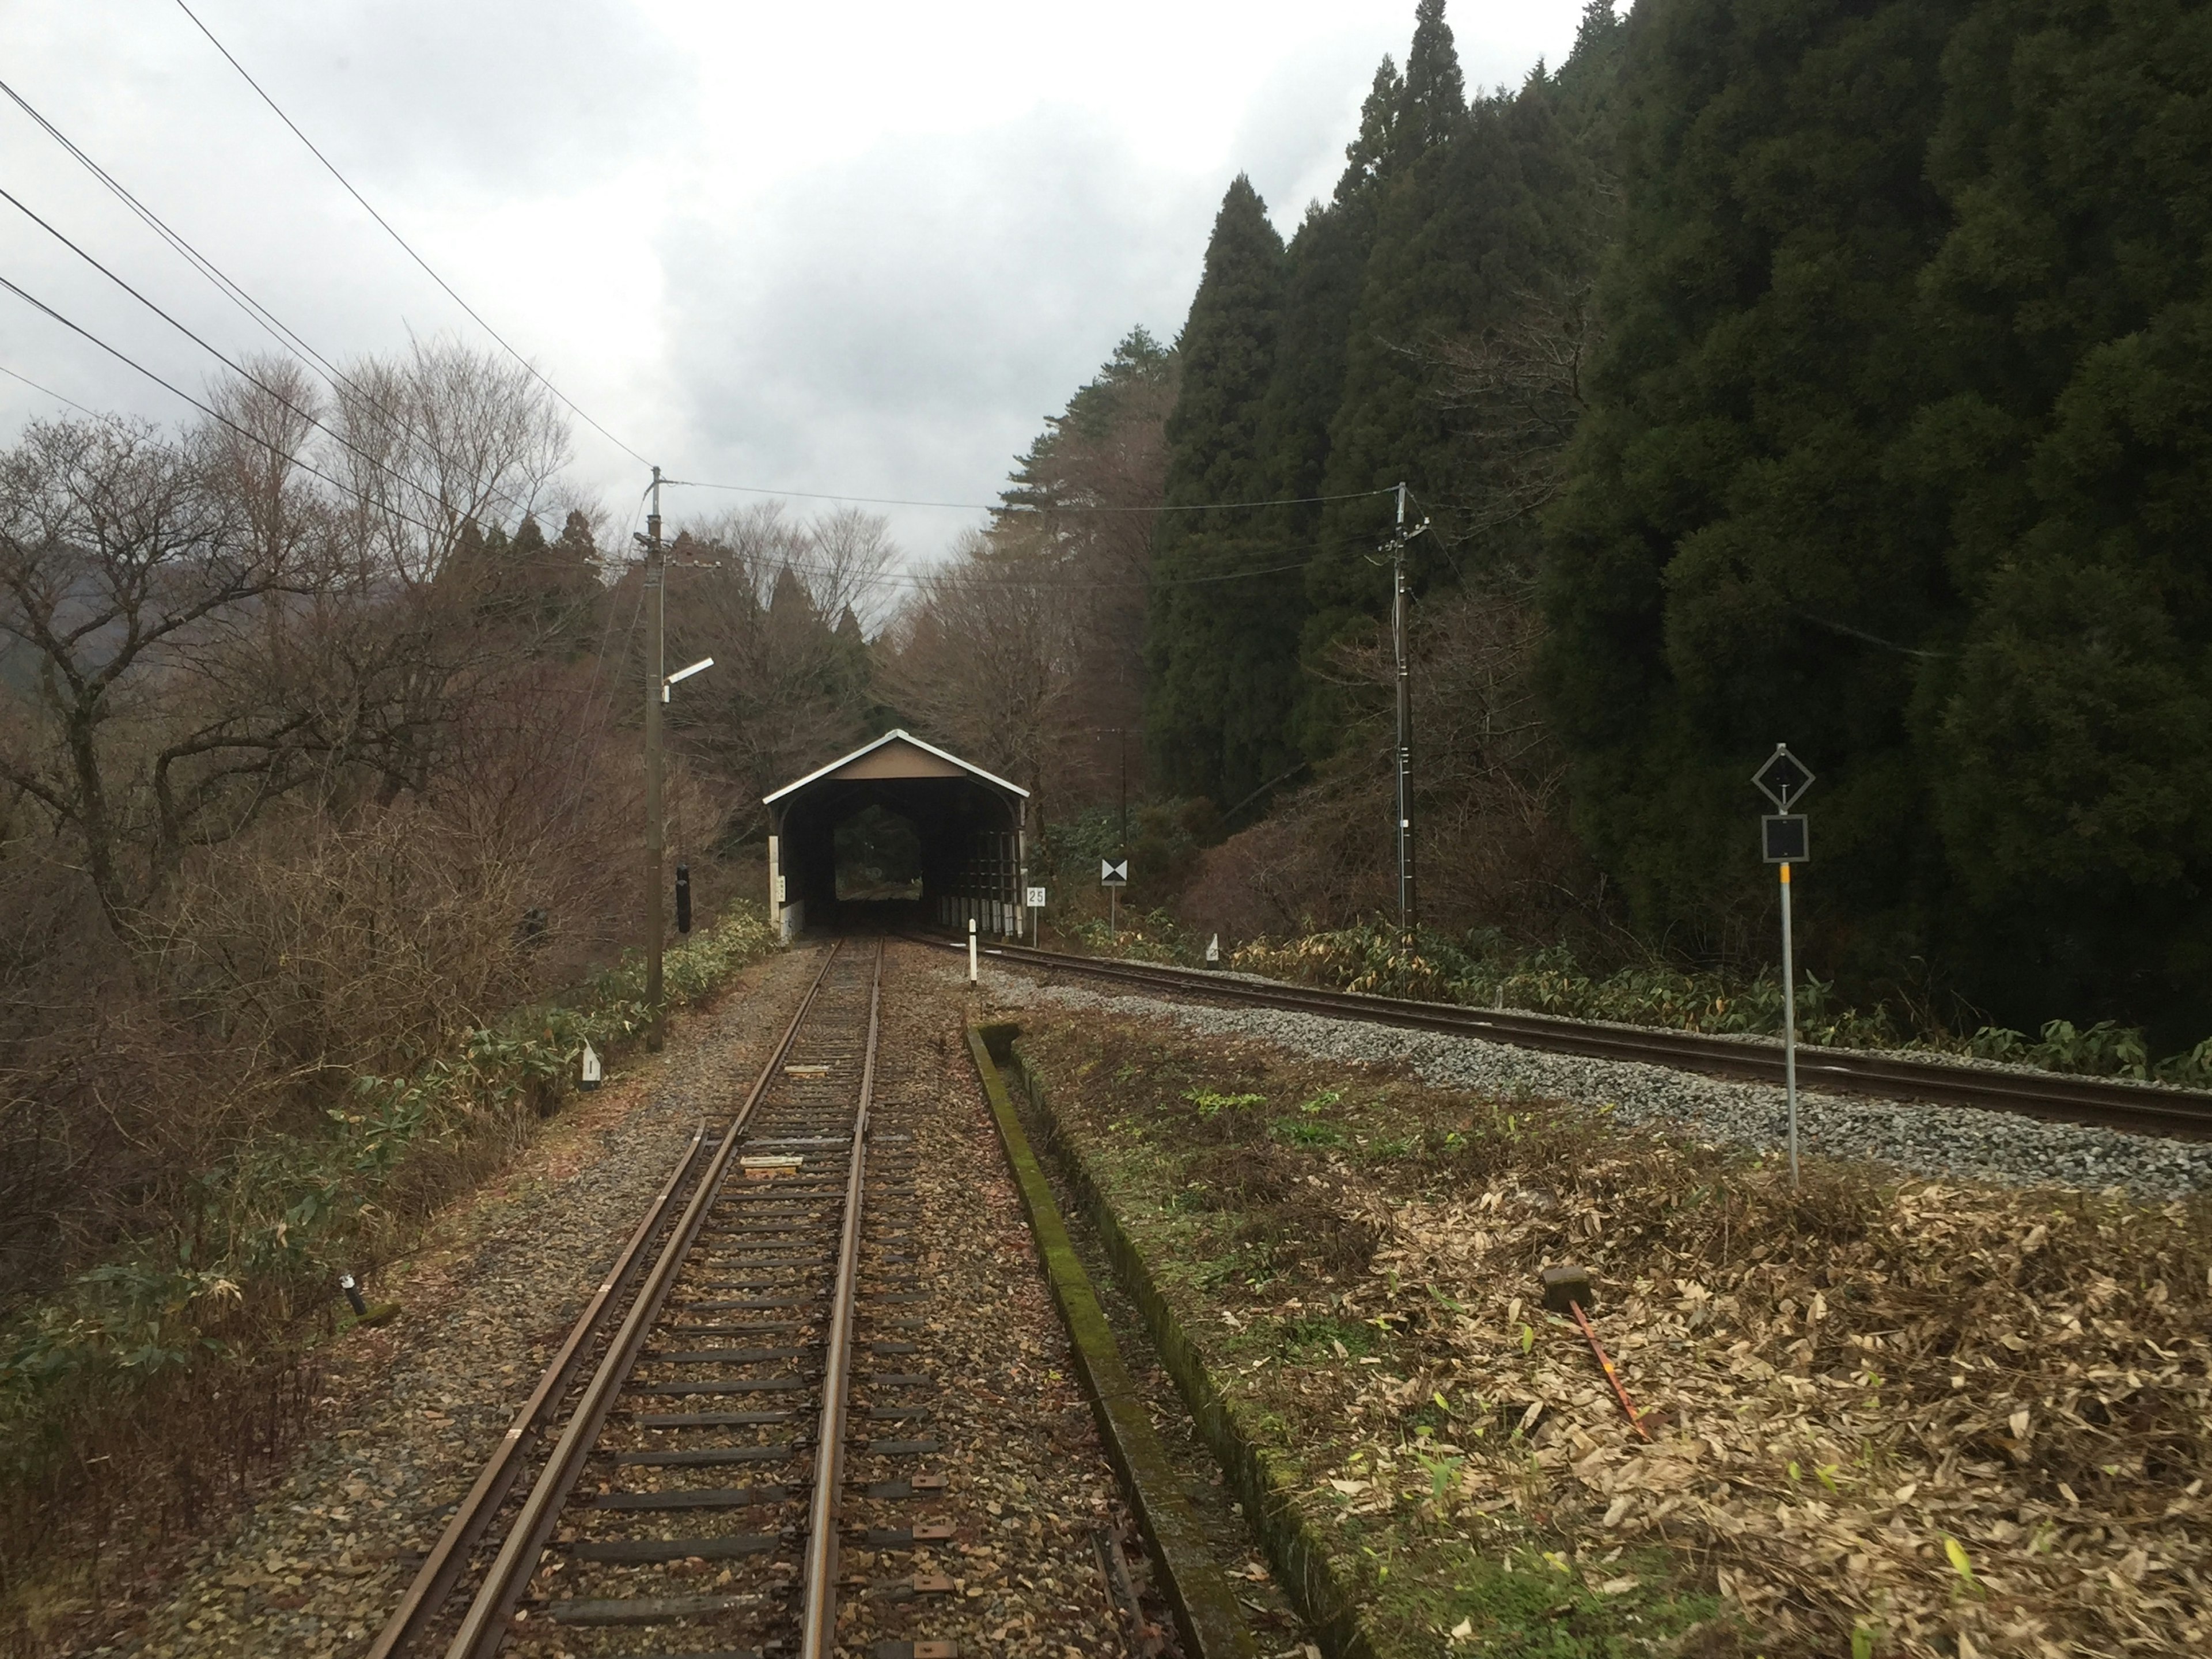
2145	1109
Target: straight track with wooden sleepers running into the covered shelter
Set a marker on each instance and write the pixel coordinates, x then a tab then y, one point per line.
678	1481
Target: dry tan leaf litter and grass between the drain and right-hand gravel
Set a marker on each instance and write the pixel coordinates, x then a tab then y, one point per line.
1888	1417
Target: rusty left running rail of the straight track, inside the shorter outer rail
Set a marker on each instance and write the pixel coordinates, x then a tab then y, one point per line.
483	1627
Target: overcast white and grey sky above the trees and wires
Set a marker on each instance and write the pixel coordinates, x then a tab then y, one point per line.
846	249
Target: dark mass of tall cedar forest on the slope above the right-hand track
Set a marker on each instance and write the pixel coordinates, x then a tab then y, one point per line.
1804	373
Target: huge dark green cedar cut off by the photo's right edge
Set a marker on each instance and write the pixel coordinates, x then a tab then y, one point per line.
2069	740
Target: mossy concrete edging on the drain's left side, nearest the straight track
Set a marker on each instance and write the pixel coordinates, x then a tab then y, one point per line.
1207	1609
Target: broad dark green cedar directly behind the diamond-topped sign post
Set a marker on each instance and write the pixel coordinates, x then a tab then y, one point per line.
1744	554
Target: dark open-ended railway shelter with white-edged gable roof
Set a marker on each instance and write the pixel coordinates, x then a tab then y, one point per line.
897	835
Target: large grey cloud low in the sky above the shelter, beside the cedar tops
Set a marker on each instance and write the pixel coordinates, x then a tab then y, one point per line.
910	317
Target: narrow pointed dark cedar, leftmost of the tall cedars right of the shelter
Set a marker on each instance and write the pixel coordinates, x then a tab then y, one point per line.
1222	645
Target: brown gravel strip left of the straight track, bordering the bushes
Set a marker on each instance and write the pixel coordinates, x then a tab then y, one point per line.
415	1408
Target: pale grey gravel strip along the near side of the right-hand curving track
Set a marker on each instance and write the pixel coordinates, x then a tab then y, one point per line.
1917	1138
